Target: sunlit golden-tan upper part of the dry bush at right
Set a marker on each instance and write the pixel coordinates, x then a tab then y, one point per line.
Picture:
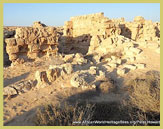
145	93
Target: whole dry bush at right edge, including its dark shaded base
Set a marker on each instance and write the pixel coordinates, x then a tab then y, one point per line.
144	98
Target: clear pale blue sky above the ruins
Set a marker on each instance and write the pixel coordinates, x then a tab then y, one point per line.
55	14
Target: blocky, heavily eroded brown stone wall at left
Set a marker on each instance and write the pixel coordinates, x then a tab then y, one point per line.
32	42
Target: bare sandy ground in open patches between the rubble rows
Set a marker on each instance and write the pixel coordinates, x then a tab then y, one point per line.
20	109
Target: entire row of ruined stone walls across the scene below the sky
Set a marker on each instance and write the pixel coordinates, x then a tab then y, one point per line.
85	34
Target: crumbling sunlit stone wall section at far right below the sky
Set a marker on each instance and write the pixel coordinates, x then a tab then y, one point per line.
140	29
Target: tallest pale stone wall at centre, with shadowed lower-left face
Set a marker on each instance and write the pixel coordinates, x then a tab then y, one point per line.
80	29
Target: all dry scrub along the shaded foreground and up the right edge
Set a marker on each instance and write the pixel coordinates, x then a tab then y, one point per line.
142	105
